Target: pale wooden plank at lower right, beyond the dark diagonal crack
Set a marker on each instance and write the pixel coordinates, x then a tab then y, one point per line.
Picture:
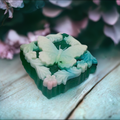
103	102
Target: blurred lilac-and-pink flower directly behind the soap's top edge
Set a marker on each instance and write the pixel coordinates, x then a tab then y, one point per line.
66	25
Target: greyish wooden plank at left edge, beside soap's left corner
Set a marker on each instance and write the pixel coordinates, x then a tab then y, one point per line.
10	71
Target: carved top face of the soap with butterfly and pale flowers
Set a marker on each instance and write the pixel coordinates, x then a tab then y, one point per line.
58	55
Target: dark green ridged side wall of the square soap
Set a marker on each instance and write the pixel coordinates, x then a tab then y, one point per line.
59	88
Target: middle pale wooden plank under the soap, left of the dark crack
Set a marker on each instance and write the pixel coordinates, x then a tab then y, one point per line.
22	99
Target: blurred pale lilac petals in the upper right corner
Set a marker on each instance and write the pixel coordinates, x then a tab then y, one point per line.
110	17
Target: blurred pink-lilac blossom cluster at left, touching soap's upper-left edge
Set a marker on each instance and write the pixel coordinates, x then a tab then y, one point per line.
13	41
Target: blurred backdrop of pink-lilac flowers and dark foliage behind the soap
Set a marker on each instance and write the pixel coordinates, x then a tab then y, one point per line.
93	22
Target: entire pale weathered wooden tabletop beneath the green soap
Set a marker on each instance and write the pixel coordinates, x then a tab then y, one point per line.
97	97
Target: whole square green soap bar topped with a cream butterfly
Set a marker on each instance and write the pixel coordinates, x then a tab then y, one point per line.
57	62
